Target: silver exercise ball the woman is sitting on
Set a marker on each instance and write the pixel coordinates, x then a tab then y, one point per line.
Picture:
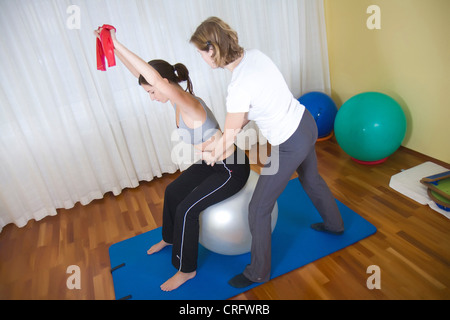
224	226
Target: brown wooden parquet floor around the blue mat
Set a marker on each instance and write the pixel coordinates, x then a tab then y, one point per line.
411	246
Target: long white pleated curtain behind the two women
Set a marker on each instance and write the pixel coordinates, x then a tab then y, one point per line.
70	133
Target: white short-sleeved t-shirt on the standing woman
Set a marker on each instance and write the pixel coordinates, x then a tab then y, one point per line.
258	87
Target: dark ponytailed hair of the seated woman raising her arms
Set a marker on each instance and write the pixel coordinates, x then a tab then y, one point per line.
175	74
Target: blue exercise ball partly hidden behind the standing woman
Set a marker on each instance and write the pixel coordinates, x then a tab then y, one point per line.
322	108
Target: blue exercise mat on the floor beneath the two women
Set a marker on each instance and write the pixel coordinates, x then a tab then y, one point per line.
294	244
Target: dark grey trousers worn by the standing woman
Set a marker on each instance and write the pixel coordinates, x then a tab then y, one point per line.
295	154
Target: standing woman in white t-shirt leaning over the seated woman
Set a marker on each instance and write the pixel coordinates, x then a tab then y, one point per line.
258	92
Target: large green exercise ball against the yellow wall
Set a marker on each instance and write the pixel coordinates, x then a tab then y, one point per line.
370	127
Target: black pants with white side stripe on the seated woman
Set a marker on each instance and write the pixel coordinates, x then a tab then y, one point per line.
197	188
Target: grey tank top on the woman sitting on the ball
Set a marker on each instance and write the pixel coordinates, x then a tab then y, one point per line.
199	134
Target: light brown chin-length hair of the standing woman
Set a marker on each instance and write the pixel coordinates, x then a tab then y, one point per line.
216	34
